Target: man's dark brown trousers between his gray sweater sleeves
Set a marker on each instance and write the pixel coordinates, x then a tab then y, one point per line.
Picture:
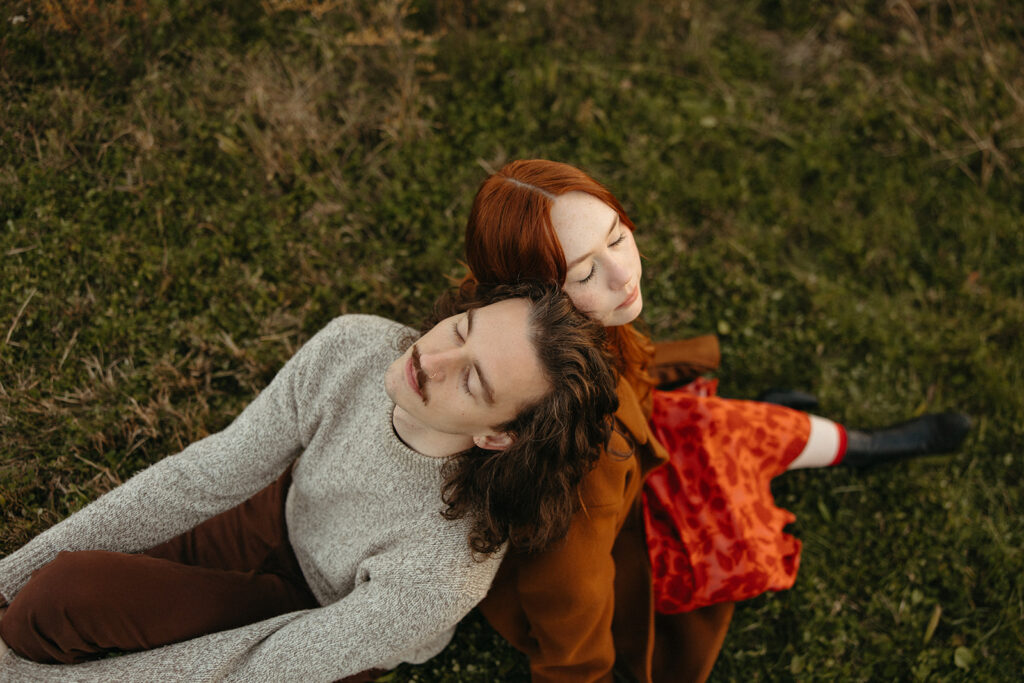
234	570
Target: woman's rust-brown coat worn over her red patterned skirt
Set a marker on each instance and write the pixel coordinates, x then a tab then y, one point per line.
585	608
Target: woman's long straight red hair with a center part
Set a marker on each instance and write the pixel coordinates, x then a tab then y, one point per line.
510	237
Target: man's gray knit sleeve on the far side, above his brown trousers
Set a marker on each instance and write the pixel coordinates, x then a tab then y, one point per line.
183	491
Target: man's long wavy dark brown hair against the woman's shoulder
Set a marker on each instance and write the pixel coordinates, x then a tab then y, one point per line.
528	493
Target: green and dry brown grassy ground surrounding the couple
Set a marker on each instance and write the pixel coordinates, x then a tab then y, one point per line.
187	194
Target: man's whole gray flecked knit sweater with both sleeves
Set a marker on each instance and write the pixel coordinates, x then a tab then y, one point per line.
393	577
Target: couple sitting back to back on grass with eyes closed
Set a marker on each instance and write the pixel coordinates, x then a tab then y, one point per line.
362	504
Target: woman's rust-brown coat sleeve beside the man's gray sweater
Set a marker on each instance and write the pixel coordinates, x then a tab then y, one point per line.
558	607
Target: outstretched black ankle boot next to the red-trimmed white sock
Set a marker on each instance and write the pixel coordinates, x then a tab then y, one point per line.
941	433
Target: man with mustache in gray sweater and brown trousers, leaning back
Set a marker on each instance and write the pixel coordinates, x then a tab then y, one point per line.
350	561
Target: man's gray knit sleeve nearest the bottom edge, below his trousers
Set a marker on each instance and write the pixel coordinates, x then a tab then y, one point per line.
408	602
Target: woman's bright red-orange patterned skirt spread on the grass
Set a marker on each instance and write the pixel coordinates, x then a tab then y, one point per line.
714	533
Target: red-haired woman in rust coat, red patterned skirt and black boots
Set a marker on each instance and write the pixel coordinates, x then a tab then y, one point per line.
714	536
